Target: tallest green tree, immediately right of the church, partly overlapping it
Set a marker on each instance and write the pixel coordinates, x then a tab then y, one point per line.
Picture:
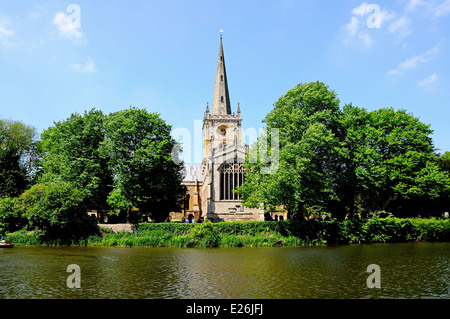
306	118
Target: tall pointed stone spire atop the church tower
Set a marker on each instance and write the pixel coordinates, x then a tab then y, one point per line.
221	101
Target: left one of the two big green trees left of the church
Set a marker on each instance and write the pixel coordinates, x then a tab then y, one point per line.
71	154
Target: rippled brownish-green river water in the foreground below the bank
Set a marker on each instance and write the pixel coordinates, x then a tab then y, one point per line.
406	270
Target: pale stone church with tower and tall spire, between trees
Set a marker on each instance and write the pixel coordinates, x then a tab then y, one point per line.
210	184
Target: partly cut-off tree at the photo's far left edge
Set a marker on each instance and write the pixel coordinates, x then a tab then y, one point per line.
17	153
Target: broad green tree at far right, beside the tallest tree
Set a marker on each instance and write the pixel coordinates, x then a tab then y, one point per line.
388	160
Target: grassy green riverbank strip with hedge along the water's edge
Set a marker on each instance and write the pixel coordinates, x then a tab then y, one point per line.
259	234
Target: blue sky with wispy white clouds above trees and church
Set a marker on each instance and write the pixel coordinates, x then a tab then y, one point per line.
57	59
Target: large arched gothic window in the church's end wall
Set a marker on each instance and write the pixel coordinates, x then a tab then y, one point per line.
231	176
